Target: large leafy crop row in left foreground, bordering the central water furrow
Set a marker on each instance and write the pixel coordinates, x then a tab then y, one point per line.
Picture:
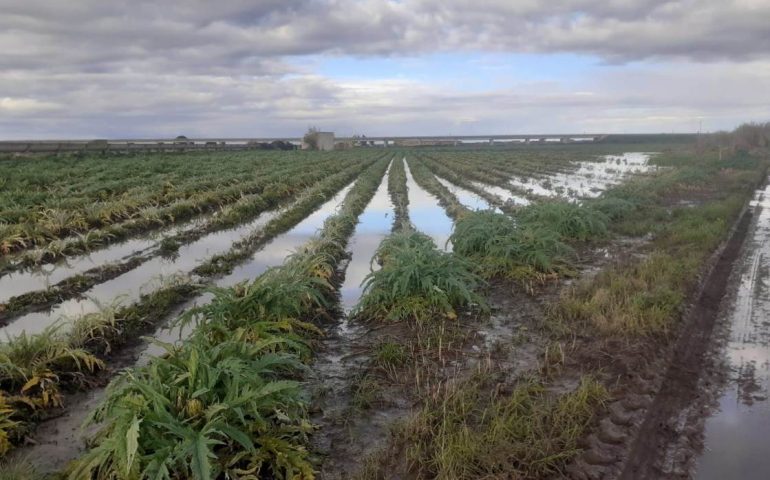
246	354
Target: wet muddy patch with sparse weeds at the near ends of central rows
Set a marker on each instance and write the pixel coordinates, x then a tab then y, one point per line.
357	402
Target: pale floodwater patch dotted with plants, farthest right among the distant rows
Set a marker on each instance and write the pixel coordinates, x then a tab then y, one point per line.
590	179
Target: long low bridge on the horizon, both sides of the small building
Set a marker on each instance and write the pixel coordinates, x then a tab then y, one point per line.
186	144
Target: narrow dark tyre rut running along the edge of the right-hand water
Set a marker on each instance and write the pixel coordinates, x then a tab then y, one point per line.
679	387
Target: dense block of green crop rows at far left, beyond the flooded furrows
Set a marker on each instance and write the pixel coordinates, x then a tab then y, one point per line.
109	211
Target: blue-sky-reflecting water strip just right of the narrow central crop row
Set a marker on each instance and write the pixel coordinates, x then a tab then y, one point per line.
426	214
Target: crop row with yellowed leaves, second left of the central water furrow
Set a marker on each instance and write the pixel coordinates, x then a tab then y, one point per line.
108	330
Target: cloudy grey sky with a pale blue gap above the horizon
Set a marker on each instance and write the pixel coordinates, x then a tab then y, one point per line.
135	68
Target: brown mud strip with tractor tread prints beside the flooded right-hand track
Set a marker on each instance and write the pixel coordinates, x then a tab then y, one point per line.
642	433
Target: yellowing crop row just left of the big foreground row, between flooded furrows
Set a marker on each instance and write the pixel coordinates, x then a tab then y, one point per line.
25	361
